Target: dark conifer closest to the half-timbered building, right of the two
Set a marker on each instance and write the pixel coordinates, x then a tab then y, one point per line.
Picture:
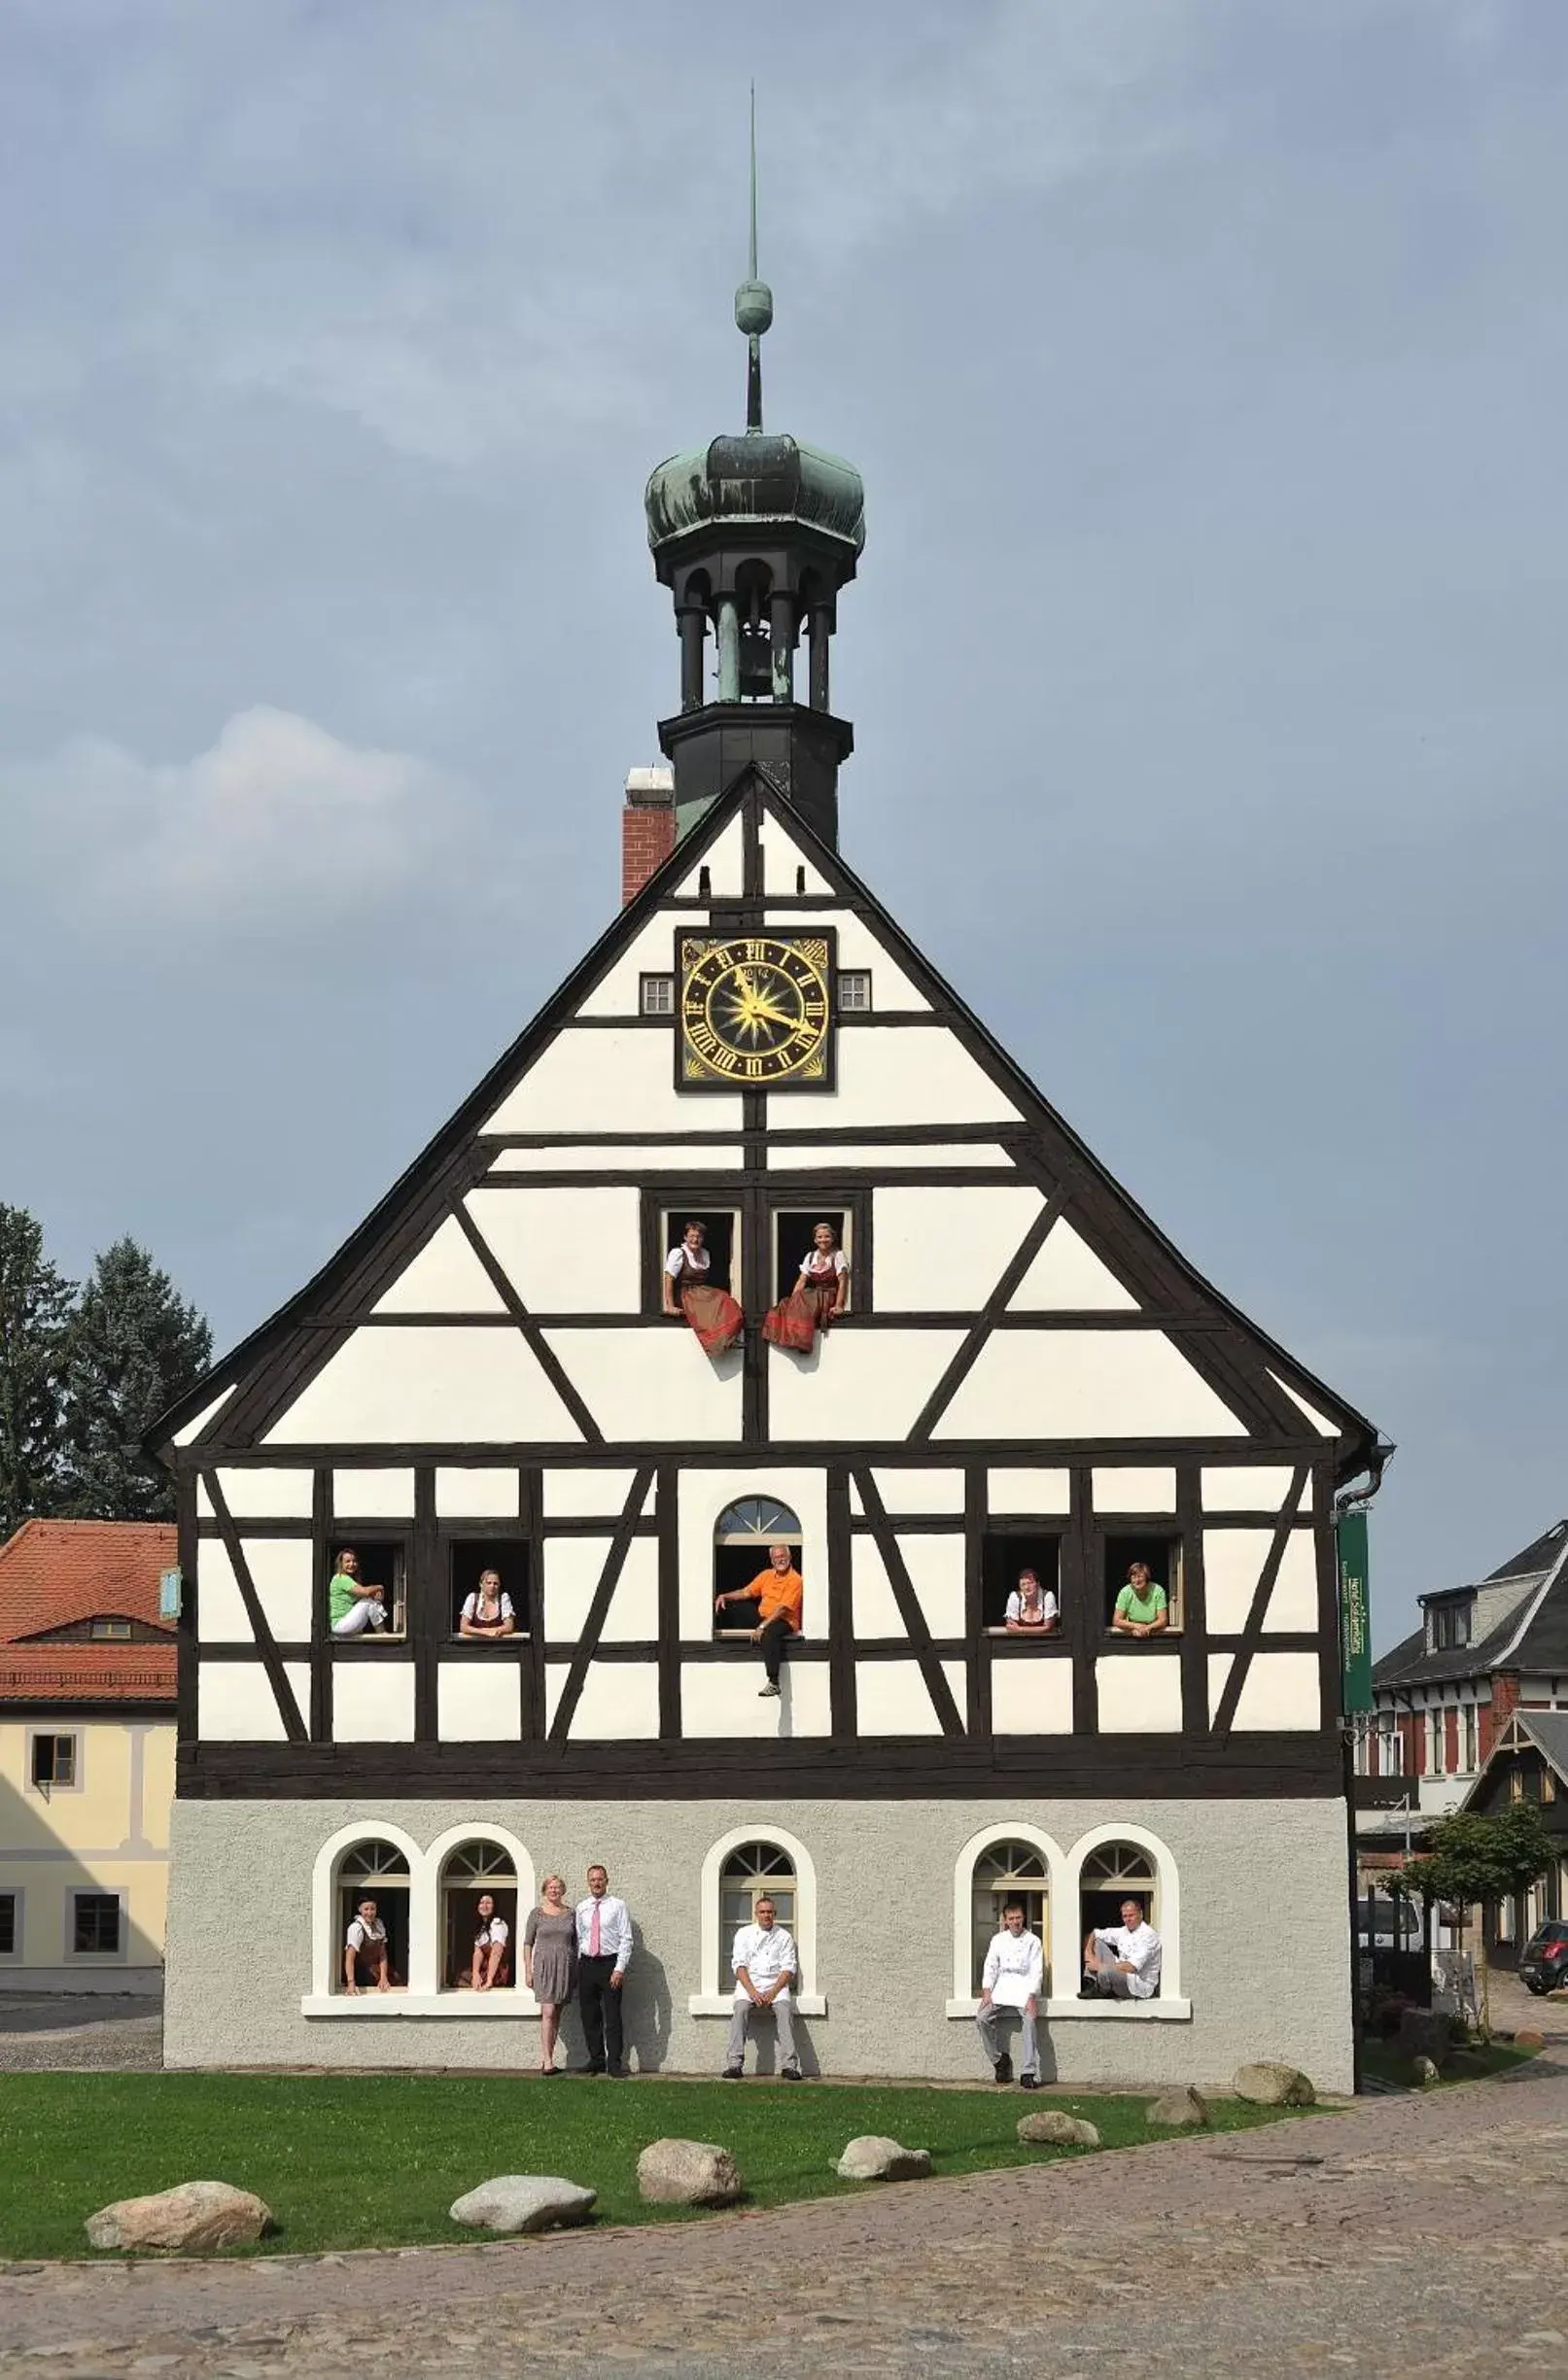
132	1348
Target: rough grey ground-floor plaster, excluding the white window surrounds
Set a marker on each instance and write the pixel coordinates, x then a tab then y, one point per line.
1250	1877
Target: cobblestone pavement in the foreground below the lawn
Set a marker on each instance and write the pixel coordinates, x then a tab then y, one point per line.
1400	2236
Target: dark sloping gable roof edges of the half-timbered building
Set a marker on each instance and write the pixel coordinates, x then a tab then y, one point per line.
1284	1386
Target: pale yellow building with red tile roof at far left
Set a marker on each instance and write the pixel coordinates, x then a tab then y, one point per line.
87	1755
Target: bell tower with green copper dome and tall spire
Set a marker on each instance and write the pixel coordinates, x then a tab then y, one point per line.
755	537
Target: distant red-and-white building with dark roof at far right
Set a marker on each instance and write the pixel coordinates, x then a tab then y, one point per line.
1450	1689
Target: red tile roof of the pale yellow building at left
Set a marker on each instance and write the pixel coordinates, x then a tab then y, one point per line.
56	1574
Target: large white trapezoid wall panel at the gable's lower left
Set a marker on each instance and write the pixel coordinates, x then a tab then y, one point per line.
434	1386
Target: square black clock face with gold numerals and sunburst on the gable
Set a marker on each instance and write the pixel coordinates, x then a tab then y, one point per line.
755	1010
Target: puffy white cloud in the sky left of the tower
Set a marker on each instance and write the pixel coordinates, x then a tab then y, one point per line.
277	822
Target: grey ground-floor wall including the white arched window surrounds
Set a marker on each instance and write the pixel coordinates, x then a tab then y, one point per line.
1253	1905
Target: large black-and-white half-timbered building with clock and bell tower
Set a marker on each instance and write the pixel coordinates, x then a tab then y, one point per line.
1027	1374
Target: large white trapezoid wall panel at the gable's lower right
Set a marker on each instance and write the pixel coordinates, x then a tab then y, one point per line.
1086	1384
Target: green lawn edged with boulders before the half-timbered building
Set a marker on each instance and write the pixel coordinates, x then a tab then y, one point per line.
377	2160
